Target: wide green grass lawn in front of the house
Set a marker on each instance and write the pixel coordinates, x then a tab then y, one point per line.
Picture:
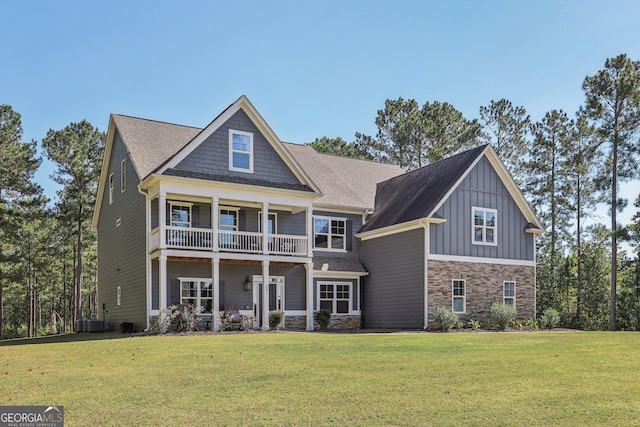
523	378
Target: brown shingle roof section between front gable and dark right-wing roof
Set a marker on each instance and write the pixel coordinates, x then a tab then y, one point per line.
343	181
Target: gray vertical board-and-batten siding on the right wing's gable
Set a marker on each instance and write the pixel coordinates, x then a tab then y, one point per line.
481	188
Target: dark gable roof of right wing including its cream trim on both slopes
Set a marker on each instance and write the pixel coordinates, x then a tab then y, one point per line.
419	194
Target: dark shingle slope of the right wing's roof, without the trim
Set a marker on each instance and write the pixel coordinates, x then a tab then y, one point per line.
415	194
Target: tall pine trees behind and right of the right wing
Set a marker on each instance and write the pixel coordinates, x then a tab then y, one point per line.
564	164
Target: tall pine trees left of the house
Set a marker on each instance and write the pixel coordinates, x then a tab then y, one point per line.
48	263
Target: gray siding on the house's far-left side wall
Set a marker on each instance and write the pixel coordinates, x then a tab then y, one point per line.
122	247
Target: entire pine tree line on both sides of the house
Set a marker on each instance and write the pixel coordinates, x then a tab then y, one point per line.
565	165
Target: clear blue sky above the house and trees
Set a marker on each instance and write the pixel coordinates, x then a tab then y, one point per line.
312	68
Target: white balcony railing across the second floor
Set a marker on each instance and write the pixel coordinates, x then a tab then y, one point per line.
200	239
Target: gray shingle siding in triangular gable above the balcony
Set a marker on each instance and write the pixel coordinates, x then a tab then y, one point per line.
212	156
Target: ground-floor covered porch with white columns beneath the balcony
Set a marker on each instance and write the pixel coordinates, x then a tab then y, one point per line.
252	287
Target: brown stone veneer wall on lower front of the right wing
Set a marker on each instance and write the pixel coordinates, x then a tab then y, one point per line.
484	286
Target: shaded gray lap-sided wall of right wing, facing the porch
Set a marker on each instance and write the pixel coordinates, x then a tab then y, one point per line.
393	292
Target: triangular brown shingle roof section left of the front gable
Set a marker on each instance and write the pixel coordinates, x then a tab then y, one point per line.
149	142
